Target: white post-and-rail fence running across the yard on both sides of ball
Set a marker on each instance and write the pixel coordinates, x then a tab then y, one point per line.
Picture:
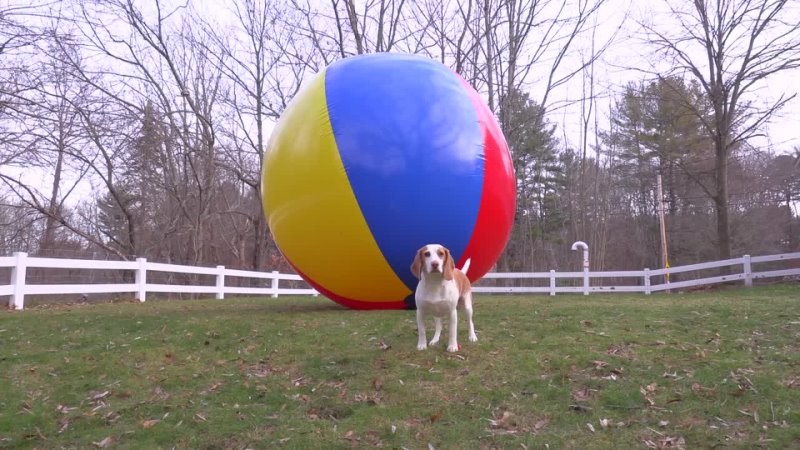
18	286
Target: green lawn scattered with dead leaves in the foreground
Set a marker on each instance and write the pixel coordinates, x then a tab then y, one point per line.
708	370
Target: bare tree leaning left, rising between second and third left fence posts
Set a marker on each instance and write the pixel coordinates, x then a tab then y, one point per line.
153	56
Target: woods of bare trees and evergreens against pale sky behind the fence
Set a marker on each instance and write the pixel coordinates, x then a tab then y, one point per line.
133	128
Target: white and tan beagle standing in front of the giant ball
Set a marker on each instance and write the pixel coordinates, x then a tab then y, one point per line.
441	289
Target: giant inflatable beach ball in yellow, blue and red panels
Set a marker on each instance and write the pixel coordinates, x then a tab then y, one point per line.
375	157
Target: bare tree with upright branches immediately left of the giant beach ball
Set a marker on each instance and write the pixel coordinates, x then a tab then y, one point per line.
260	61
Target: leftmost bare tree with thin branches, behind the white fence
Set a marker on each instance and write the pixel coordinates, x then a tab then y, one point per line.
48	130
